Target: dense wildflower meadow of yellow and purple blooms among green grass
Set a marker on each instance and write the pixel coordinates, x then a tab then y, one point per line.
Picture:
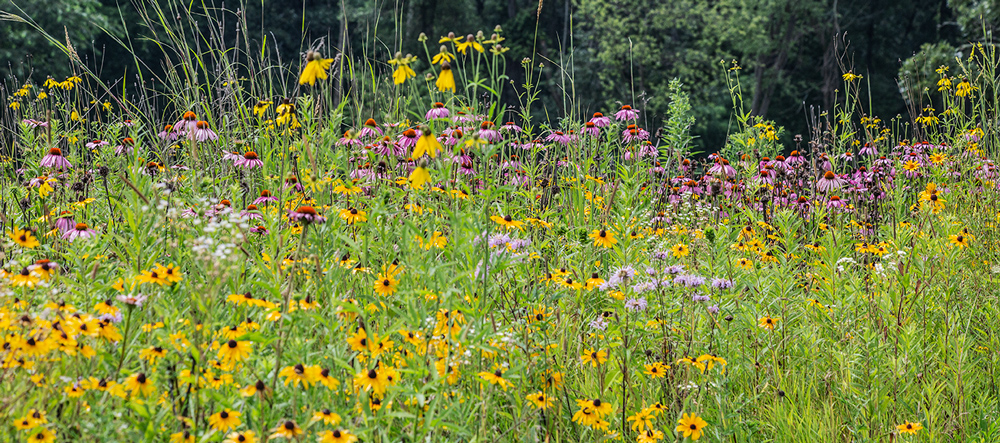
343	250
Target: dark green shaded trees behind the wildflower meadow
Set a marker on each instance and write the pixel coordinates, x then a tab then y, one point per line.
597	54
